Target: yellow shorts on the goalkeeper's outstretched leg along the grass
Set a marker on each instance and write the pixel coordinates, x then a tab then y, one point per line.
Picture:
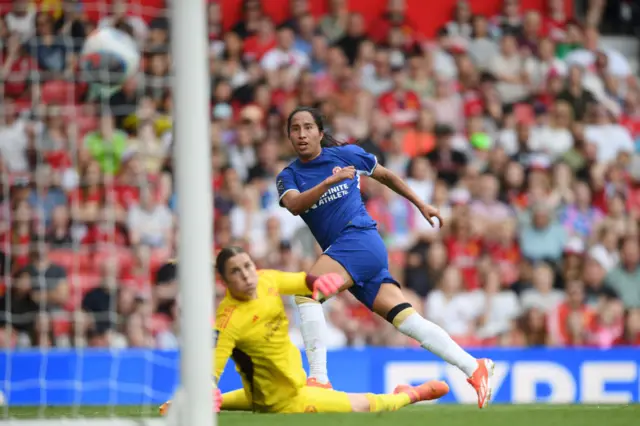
318	400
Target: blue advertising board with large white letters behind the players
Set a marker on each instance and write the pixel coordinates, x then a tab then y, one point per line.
132	377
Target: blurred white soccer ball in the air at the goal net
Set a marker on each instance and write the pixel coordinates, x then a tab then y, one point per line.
109	58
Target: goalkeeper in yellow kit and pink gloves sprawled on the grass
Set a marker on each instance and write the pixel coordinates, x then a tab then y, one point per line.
252	328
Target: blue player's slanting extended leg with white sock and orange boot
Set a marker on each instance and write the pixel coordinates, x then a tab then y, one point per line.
388	301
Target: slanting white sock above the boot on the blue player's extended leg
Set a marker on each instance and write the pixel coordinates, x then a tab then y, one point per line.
437	341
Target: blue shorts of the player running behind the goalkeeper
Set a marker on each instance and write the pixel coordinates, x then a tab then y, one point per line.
364	256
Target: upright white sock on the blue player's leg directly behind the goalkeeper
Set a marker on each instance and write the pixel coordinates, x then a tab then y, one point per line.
313	327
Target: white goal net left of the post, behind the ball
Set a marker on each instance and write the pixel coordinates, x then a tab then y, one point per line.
89	329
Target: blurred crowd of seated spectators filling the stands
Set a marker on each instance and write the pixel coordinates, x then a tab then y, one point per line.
518	127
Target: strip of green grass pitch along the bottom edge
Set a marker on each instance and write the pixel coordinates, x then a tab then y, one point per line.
429	415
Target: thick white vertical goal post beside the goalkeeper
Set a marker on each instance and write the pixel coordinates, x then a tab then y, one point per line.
193	166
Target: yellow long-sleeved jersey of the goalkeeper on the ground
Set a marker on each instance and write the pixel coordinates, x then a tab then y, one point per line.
255	334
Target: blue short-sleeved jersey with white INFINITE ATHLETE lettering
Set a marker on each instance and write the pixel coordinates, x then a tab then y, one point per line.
341	205
